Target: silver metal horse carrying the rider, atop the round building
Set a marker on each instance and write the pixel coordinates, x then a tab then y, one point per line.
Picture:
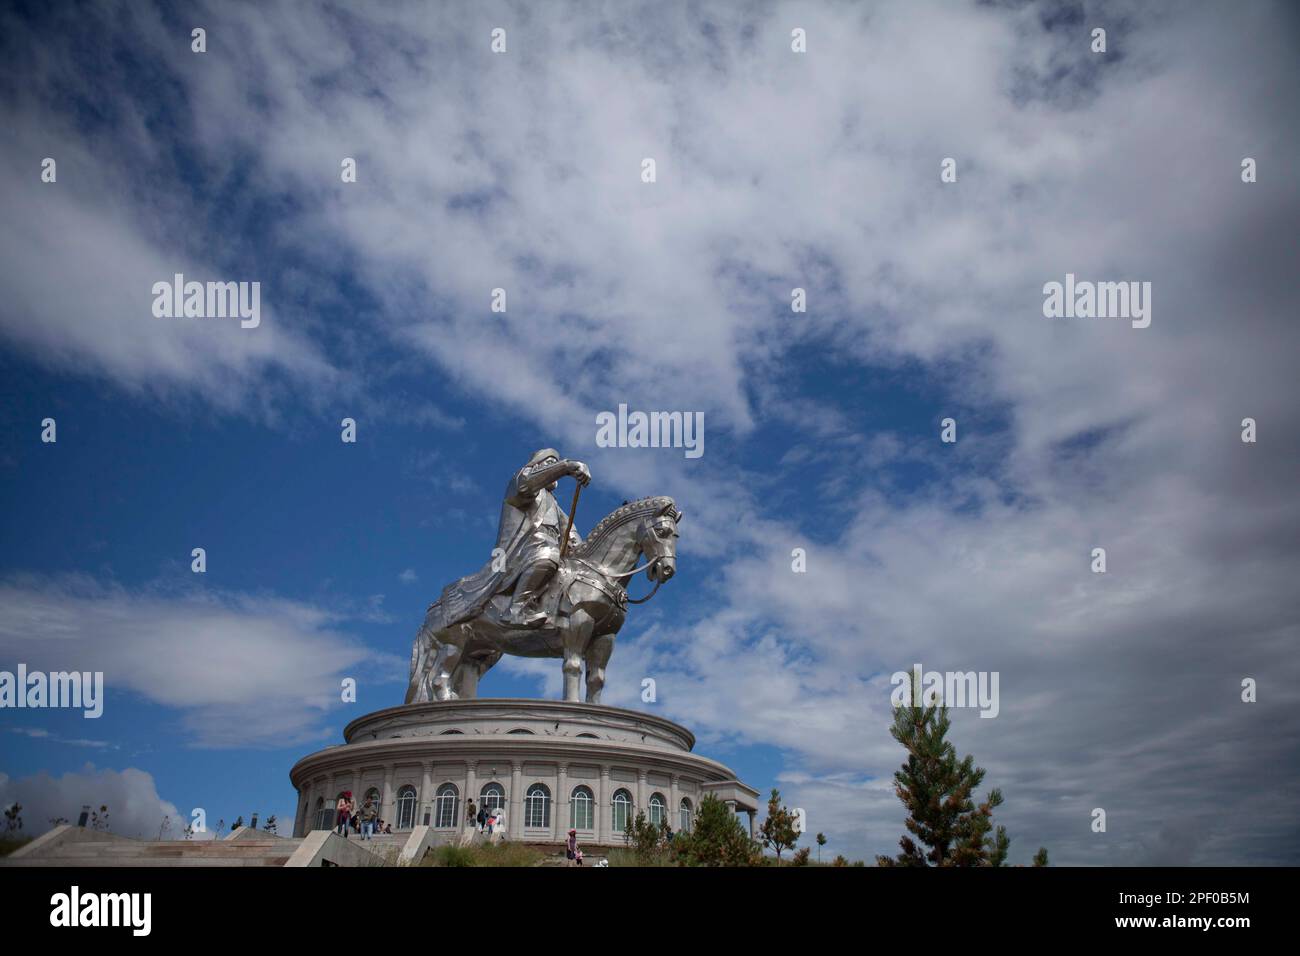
580	608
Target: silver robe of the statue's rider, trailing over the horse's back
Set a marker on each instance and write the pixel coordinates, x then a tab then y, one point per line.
530	531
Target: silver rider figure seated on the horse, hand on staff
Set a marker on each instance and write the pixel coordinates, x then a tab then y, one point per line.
532	524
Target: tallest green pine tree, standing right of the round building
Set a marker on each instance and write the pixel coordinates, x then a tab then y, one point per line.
944	825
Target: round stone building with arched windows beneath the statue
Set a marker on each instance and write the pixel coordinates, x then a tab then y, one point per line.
551	767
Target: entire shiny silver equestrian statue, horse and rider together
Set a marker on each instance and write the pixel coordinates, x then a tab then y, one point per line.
545	592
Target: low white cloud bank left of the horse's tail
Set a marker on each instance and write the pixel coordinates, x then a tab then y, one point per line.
244	671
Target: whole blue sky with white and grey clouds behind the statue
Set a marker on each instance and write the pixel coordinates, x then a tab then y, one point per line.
775	170
